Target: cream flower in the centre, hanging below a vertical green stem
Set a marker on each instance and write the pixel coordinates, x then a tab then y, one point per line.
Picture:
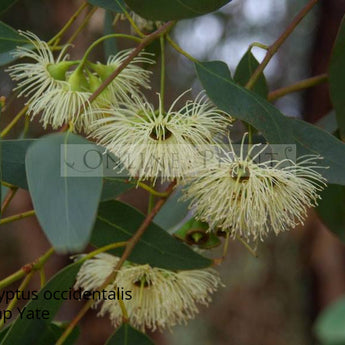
154	144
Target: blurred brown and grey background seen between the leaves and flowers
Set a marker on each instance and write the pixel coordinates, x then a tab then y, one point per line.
273	299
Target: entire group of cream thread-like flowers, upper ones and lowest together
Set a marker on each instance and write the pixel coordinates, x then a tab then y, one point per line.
238	196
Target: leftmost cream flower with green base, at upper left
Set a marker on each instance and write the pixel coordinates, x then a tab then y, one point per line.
44	74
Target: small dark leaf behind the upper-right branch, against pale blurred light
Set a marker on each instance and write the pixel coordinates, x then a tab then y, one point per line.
245	70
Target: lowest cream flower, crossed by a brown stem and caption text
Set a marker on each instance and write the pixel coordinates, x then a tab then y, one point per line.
160	298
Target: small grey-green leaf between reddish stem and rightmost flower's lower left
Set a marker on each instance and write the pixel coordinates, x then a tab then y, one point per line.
172	212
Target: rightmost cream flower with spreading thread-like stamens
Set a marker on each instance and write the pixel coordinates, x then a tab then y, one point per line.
248	199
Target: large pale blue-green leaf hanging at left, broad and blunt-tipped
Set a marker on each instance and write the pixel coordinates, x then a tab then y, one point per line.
66	206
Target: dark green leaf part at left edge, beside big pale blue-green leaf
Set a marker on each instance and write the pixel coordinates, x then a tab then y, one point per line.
13	161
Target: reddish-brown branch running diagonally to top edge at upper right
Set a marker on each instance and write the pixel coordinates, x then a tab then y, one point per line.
277	44
